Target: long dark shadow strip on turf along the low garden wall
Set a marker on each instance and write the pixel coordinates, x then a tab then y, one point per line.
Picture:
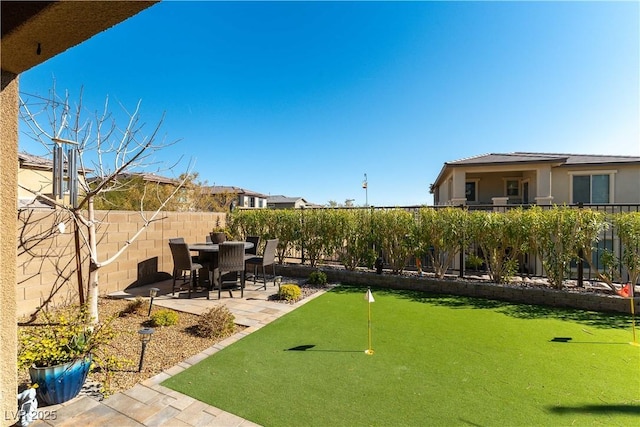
521	311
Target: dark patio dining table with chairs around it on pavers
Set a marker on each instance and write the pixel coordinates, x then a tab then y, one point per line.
223	265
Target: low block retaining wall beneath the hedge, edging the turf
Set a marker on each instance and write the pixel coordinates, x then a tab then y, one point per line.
584	300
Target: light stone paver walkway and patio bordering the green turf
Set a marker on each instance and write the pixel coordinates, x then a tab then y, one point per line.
149	403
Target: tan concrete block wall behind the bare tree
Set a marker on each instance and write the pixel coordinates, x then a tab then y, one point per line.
46	267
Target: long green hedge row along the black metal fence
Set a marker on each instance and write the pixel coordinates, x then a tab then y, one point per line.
558	236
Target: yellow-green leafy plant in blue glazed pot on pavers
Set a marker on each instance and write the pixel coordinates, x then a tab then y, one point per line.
58	351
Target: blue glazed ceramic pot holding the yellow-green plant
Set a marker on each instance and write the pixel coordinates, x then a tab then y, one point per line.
57	384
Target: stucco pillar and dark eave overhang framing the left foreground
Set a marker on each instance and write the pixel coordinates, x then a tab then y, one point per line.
32	33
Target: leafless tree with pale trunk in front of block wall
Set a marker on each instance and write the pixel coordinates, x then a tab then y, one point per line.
106	149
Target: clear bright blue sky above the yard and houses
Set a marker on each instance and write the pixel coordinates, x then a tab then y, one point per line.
304	98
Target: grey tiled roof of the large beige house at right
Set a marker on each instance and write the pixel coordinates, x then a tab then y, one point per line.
561	159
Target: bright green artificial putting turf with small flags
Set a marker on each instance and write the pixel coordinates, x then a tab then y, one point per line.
438	360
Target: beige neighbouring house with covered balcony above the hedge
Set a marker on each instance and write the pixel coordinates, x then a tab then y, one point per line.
538	178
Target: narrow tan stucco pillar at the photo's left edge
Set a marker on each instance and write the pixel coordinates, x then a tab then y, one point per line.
8	195
